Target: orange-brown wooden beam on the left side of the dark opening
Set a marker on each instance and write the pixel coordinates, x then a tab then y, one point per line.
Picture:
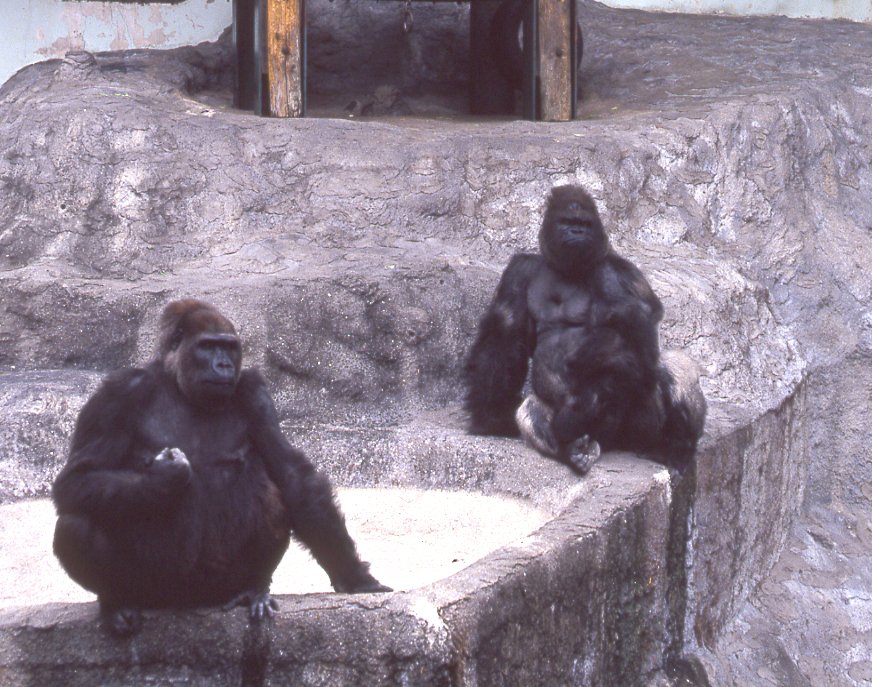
285	63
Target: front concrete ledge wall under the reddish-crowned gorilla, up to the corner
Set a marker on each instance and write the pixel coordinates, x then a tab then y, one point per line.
566	600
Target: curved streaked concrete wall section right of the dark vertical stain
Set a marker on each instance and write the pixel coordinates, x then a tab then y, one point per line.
750	483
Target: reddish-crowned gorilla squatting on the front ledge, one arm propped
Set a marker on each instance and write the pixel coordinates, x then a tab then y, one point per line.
180	489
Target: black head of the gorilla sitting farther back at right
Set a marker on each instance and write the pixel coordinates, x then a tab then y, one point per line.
572	238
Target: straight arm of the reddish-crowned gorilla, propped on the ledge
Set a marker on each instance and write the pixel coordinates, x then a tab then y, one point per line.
315	518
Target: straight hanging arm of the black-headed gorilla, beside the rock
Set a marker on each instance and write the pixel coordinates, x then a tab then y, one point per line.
497	364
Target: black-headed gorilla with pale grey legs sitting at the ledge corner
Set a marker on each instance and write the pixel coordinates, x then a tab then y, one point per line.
588	319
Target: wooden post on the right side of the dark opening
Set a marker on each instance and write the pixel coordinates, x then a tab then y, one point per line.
557	28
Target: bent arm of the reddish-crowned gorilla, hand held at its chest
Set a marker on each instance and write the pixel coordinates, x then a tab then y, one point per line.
102	479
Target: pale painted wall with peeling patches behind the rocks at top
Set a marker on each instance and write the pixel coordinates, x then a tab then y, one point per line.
35	30
